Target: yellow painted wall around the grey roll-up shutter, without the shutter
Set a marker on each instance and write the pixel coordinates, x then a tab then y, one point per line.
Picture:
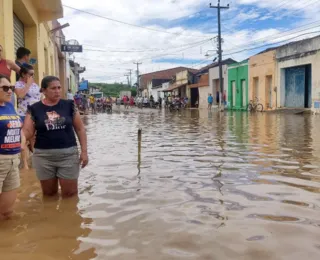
37	35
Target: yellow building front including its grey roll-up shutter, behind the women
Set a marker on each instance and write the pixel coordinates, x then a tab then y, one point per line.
27	23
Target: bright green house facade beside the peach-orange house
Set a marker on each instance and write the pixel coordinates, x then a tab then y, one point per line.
238	82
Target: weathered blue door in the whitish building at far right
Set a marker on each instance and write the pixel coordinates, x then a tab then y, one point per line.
295	87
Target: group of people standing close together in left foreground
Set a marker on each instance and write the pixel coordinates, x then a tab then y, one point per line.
47	122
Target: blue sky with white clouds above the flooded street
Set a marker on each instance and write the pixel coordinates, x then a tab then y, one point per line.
169	33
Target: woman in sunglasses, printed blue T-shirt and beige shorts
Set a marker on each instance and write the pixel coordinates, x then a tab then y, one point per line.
10	147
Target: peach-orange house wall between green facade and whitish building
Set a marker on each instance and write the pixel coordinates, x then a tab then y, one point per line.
262	79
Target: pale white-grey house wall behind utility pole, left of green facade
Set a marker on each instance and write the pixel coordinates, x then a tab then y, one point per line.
214	80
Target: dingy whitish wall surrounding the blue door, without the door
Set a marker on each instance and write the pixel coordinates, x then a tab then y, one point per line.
314	61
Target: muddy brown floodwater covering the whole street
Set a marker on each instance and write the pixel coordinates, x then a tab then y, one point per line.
209	186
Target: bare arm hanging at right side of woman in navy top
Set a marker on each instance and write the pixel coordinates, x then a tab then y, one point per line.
82	136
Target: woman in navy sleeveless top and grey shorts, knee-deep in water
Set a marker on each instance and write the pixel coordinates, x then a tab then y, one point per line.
56	157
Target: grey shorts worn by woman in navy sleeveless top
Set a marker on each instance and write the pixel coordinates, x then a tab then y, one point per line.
56	163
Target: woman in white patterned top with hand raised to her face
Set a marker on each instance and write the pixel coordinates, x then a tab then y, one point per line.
28	93
